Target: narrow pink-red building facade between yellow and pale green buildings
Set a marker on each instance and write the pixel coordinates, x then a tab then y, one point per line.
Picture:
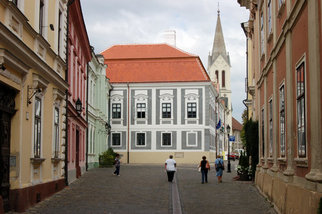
78	56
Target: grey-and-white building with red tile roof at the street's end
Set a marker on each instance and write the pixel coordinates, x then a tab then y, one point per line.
162	103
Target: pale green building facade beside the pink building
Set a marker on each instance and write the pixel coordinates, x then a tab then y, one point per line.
98	102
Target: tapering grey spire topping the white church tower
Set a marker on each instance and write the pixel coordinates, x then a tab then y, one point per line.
219	47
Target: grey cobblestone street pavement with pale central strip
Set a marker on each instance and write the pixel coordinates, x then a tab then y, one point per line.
144	189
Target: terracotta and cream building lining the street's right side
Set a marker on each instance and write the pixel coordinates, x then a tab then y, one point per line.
285	63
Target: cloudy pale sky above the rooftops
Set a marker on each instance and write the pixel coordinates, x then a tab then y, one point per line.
111	22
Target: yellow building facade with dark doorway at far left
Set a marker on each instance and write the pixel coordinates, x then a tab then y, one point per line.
32	106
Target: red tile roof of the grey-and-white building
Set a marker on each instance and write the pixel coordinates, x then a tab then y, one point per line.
152	63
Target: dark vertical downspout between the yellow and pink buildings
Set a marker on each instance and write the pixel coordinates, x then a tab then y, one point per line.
70	2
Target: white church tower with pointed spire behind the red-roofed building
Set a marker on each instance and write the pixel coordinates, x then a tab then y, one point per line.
219	71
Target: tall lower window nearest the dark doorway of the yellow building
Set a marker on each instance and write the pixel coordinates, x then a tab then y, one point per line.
37	128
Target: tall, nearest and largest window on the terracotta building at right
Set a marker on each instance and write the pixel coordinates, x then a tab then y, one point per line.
300	101
